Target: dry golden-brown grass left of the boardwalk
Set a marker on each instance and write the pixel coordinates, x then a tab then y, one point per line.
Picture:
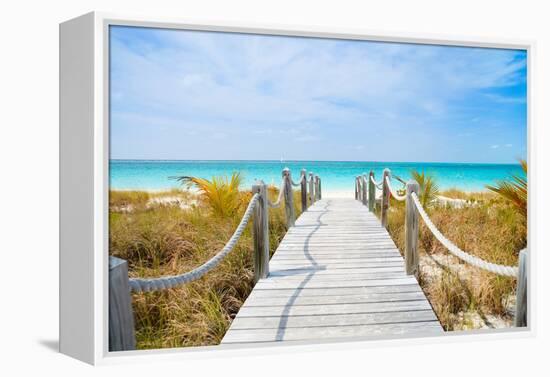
164	239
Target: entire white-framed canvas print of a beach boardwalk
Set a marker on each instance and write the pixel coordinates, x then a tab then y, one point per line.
229	187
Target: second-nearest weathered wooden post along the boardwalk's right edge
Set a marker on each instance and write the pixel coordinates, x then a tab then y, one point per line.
411	230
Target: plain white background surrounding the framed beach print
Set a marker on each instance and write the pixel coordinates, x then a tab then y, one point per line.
29	182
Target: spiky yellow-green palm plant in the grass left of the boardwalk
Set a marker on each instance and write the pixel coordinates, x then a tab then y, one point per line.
220	193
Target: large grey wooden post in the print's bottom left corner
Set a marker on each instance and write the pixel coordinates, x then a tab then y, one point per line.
121	316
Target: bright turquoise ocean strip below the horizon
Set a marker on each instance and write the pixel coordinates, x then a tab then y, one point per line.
335	175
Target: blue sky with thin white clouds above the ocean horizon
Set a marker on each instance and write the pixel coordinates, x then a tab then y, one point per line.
204	95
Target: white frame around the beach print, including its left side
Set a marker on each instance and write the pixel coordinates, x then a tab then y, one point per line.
84	158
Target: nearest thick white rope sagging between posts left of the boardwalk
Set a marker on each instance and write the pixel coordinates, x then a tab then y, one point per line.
166	282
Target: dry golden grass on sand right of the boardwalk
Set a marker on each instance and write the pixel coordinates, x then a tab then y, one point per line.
492	230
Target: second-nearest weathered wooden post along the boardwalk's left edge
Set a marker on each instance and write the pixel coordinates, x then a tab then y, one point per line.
261	233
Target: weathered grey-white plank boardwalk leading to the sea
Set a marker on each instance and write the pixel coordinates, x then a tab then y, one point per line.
337	274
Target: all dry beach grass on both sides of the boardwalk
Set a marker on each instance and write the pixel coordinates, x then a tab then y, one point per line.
170	232
